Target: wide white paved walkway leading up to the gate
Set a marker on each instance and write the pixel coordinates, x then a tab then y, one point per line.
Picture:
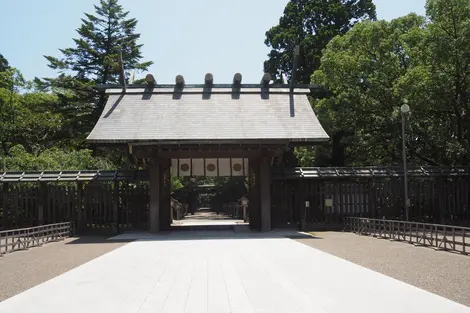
231	273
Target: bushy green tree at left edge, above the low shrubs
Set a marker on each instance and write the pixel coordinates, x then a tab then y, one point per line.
36	120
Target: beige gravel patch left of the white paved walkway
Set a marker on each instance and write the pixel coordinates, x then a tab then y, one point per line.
22	270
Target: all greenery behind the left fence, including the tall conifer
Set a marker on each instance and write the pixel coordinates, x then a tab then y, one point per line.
49	118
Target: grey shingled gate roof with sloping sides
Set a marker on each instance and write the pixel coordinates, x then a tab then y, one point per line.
197	114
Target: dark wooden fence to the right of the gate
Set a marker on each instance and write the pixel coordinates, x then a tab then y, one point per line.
432	199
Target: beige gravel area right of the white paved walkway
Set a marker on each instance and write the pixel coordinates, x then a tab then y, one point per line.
443	273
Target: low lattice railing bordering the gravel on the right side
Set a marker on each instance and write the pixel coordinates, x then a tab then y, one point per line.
438	236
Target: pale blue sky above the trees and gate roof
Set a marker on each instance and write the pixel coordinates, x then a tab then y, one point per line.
185	37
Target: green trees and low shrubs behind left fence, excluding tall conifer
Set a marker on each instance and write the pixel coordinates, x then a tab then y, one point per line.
37	129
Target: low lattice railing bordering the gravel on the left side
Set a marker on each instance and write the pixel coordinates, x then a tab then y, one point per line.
25	238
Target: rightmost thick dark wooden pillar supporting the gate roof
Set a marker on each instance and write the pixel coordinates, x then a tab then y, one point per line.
265	186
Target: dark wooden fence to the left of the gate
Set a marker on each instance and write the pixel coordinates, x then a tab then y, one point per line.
91	205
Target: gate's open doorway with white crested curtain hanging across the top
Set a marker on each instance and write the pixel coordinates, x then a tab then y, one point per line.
209	193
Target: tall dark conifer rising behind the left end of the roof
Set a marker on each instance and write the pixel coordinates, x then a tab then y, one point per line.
94	60
